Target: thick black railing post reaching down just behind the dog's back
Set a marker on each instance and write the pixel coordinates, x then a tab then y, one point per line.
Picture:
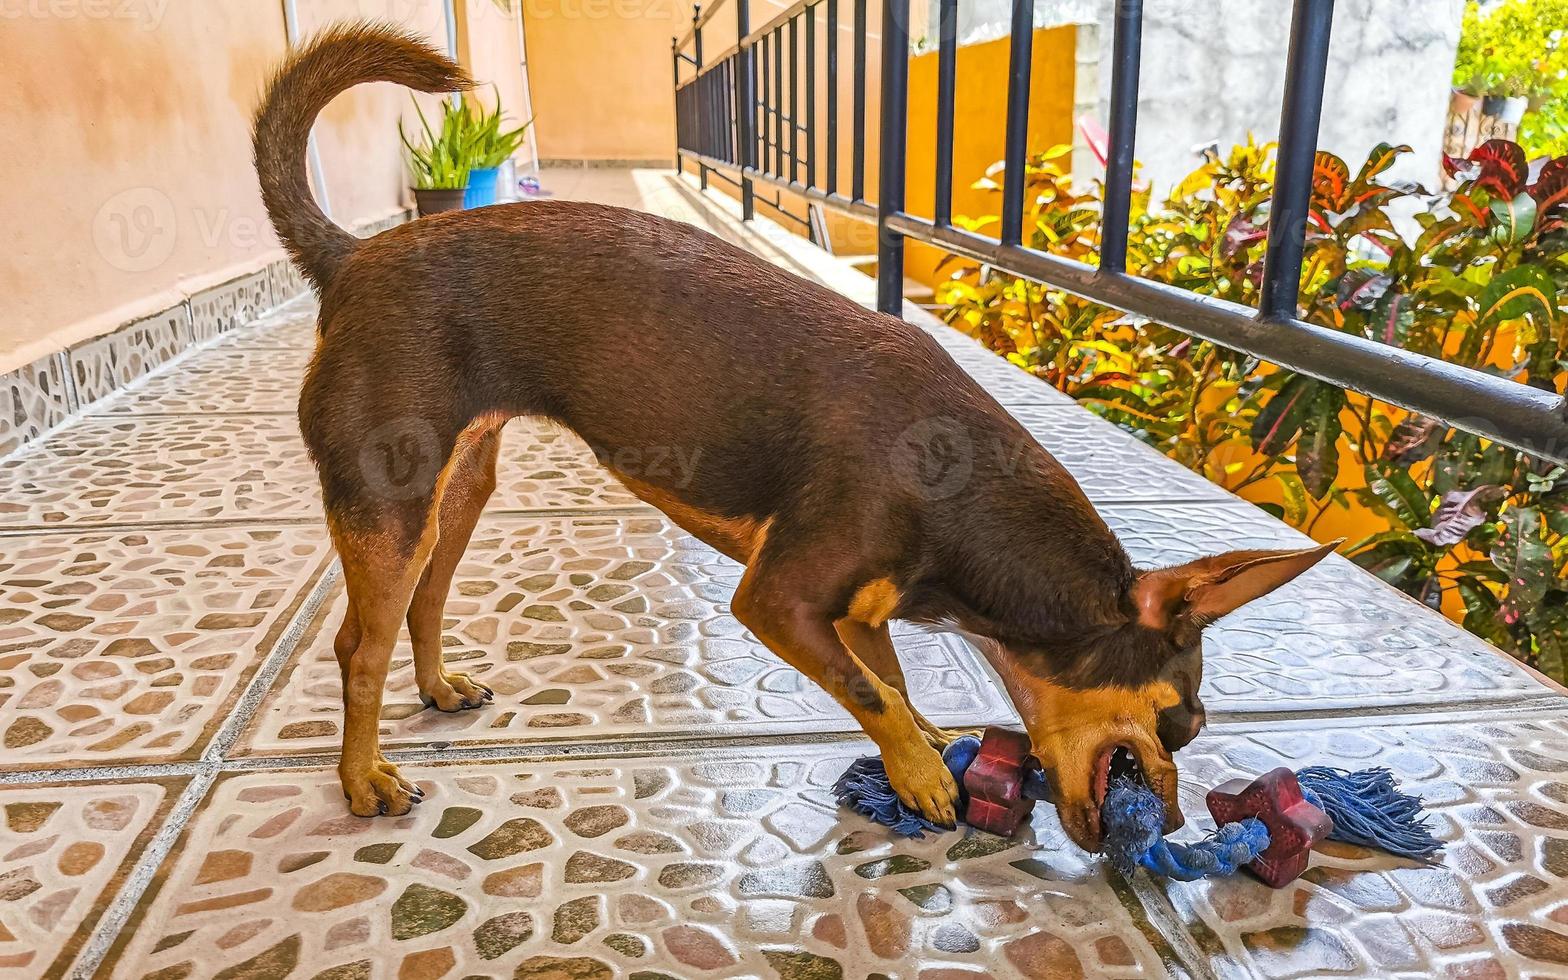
895	145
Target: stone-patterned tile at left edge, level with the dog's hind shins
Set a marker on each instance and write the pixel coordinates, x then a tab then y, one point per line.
122	647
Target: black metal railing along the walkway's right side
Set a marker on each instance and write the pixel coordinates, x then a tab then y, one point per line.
727	123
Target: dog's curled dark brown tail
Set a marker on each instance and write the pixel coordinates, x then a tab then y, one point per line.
336	60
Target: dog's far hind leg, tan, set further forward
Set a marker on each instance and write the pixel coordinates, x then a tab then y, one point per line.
470	485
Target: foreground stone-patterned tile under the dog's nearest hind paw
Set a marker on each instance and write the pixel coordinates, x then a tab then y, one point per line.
695	866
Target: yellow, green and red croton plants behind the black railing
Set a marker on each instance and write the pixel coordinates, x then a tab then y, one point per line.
1476	277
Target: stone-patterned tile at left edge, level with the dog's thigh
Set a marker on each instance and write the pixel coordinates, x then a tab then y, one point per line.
161	470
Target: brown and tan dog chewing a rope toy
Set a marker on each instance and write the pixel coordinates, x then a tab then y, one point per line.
808	426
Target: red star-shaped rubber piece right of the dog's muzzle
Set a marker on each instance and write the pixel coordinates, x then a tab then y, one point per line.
1294	824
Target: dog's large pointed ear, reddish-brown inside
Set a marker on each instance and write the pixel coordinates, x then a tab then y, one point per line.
1185	598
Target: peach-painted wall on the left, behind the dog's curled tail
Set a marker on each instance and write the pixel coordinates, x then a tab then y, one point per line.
126	137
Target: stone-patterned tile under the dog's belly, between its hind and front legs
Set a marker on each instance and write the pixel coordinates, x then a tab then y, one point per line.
598	630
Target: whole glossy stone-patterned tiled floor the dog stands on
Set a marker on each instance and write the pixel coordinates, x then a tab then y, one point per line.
648	797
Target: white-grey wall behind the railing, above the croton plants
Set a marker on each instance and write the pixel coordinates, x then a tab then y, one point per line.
1214	71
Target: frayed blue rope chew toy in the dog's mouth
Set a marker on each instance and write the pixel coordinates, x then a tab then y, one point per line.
1363	808
